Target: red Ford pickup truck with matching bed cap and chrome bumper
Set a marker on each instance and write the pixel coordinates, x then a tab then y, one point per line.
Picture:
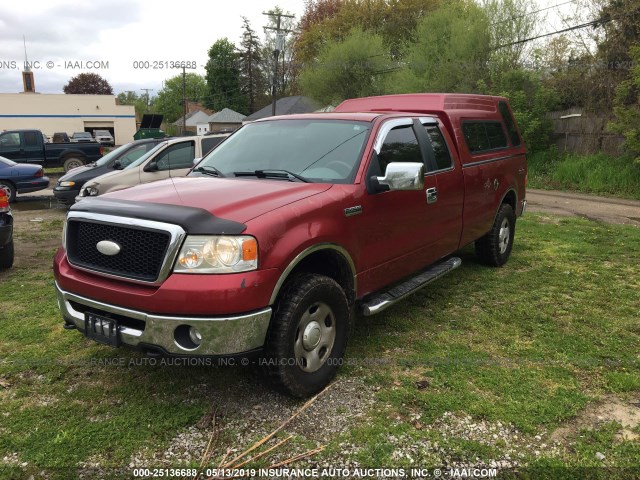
279	237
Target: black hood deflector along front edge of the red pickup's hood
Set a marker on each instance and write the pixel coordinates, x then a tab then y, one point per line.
194	221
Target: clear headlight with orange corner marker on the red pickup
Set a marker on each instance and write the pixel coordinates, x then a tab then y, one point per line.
217	254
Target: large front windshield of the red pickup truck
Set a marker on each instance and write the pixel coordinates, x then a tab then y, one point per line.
325	151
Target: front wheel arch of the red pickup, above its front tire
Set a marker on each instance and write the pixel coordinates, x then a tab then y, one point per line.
327	259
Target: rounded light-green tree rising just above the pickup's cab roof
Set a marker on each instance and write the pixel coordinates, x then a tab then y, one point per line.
355	67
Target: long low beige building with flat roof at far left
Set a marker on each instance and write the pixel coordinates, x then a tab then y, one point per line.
67	113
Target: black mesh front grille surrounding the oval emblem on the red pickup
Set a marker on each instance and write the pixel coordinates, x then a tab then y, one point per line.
142	250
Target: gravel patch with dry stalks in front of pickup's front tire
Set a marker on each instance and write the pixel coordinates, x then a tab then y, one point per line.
239	424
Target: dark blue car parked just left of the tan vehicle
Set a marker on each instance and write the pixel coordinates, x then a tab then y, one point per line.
69	185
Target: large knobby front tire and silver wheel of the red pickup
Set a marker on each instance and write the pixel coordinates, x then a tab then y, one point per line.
299	364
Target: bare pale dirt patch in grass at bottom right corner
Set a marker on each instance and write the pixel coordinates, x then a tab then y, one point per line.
611	409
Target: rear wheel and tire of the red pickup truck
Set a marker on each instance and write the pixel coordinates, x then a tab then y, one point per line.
495	247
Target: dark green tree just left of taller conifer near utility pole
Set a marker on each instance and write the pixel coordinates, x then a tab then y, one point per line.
223	78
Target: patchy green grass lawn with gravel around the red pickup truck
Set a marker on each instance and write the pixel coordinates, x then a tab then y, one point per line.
487	367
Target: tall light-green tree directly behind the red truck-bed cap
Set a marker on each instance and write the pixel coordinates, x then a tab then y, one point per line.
450	53
